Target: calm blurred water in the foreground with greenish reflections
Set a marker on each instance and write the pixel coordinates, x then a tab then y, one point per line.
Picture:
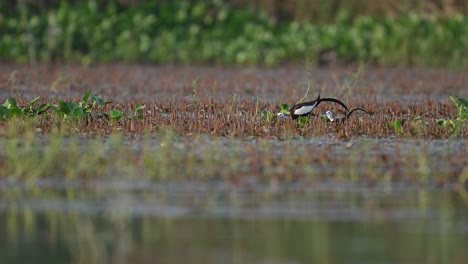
218	222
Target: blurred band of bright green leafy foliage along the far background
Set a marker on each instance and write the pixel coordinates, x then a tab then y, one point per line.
215	32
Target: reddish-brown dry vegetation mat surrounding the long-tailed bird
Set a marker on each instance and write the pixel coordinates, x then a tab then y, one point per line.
221	101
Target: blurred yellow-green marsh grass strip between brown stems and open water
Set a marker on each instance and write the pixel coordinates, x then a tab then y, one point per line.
164	155
